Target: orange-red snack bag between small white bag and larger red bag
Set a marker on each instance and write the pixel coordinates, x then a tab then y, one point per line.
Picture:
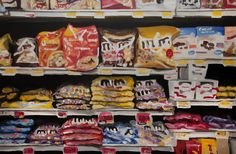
50	49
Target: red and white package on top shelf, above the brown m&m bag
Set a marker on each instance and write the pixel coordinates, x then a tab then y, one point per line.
118	4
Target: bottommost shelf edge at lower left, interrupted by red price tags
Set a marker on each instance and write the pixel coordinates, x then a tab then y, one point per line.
134	148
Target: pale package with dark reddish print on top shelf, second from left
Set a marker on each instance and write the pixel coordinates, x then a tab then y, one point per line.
35	4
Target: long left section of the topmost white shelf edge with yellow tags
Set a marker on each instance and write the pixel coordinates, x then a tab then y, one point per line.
98	14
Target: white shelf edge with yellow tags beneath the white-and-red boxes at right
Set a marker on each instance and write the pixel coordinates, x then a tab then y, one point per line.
221	103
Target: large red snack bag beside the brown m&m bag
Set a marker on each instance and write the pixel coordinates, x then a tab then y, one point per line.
81	48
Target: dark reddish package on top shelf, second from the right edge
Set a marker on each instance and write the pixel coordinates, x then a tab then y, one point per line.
212	4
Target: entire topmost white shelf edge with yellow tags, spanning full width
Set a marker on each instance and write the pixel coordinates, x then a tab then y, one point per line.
135	13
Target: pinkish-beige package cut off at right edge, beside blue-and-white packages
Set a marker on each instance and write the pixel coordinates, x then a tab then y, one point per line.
230	42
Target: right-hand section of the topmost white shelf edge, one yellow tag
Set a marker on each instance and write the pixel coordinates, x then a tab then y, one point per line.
213	13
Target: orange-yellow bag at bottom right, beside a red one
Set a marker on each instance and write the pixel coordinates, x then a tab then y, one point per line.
209	146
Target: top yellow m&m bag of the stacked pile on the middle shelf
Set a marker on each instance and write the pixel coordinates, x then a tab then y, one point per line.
118	83
